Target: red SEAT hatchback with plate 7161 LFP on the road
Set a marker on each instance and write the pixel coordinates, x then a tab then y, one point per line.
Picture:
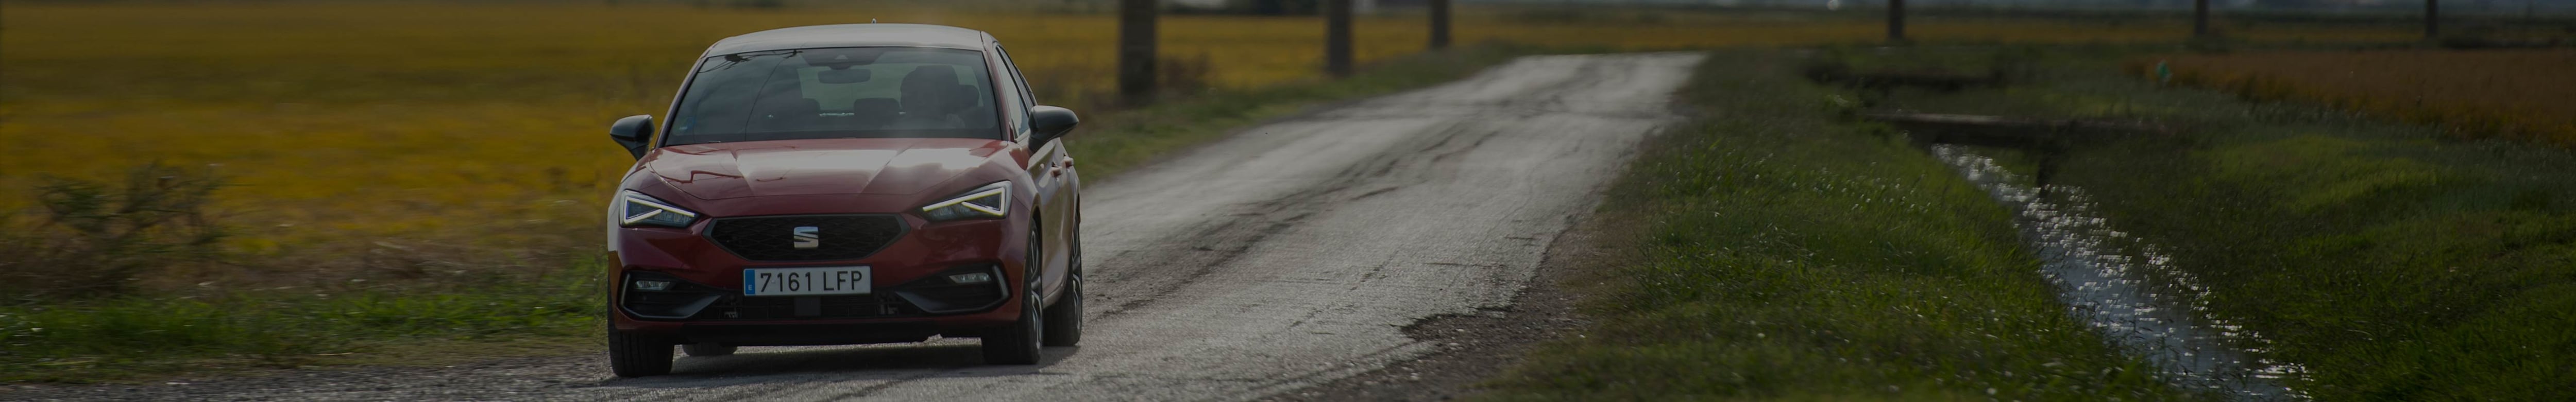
846	184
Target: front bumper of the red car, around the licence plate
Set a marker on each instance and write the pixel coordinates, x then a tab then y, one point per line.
911	292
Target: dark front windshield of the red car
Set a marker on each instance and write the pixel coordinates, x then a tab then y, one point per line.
838	94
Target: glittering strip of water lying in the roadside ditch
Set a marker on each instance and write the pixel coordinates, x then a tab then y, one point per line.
2129	290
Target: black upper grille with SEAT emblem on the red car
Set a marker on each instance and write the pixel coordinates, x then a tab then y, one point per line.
836	236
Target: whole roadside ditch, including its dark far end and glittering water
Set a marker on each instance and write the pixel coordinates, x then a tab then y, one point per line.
2114	282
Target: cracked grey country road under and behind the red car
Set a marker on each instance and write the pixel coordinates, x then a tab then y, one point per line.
1279	259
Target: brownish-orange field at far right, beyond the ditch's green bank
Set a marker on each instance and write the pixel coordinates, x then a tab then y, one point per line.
2482	94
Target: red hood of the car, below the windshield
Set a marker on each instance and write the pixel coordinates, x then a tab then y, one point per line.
818	166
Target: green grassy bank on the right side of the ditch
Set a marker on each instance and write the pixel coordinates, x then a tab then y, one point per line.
2387	259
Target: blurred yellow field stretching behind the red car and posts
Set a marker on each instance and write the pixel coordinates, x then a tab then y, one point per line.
480	128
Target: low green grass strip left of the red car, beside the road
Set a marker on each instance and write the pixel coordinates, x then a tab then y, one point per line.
282	329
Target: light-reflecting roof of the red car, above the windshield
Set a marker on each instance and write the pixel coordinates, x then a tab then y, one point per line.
851	35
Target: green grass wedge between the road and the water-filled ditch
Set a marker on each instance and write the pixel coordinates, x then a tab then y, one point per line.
1781	254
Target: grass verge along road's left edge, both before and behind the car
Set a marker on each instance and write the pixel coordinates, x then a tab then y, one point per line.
282	329
